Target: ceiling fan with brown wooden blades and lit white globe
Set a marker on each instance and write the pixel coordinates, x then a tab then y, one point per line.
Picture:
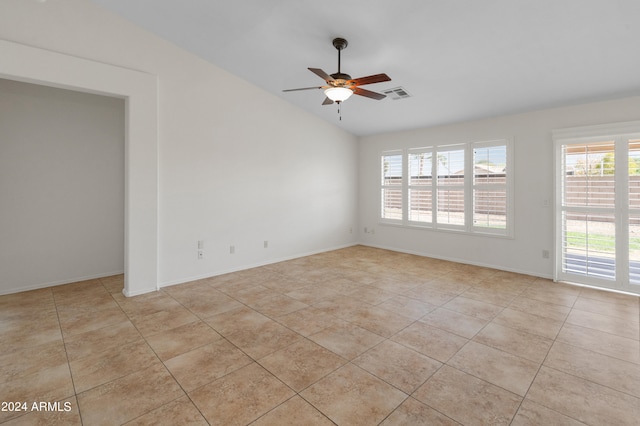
341	86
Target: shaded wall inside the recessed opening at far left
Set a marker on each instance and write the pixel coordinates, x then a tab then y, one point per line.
61	186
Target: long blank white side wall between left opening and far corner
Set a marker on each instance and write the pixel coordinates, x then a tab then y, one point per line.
236	164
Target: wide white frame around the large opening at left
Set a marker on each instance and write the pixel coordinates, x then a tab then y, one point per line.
140	92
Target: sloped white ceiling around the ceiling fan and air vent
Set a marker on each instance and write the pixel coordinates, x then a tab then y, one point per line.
459	59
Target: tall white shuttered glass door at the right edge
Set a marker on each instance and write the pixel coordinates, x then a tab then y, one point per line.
598	206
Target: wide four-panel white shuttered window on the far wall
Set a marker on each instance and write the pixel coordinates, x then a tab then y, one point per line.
461	187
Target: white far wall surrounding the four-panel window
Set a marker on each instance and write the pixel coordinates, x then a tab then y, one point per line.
533	158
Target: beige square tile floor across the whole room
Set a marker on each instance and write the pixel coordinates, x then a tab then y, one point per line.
354	336
